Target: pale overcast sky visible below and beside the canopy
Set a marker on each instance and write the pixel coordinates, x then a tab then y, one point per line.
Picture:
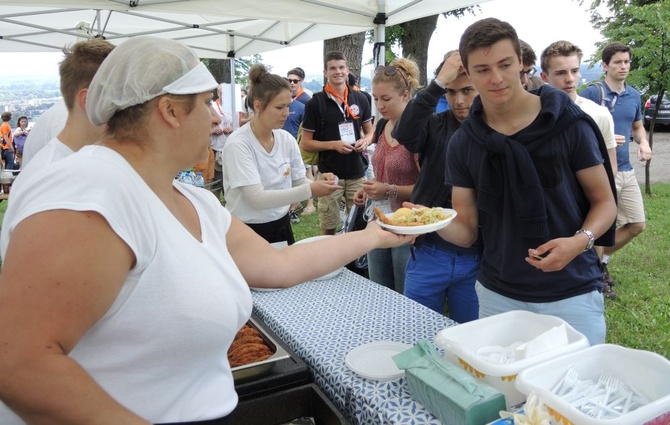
538	22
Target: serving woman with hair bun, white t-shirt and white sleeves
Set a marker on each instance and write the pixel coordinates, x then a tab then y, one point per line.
263	172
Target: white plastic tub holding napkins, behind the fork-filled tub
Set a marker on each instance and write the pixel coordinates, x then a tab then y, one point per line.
462	342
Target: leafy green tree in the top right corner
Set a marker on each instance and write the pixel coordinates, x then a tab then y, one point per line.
644	25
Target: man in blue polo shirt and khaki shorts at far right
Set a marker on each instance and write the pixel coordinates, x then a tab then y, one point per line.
624	104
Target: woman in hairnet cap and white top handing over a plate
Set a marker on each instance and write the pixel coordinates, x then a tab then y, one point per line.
121	288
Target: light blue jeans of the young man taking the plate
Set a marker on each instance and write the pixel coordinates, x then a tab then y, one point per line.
585	313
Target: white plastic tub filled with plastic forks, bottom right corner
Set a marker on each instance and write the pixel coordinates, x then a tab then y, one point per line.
648	373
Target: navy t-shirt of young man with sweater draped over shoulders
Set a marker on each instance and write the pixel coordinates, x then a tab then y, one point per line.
503	268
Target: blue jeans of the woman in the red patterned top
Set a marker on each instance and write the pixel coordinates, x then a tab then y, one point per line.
387	266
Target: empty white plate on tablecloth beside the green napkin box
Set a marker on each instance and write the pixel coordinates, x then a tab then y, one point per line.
375	360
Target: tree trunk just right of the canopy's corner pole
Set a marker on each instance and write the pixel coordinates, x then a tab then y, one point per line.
415	39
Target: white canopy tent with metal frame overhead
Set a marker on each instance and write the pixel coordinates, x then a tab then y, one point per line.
213	28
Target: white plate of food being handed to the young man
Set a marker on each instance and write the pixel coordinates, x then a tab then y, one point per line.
416	221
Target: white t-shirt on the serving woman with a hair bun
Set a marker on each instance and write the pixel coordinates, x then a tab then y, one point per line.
247	163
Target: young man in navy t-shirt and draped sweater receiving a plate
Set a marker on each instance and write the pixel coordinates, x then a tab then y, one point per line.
527	172
